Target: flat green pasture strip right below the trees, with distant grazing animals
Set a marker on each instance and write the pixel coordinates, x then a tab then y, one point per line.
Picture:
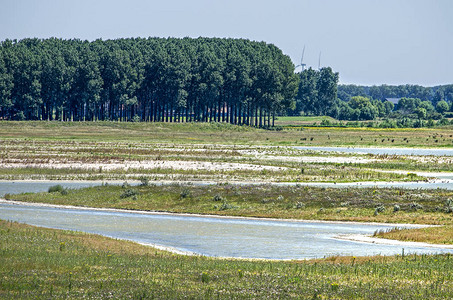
220	133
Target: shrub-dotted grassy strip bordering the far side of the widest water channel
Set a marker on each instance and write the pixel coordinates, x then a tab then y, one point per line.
293	202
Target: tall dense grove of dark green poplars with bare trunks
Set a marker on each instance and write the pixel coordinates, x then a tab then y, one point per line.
154	79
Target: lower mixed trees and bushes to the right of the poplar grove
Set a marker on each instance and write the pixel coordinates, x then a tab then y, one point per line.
319	94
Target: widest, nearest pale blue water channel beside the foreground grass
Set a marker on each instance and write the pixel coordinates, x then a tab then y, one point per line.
213	236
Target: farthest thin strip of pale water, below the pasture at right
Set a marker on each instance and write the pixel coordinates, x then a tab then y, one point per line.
382	151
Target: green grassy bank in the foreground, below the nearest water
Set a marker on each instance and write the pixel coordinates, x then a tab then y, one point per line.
44	264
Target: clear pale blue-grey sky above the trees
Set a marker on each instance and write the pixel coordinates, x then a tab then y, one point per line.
369	42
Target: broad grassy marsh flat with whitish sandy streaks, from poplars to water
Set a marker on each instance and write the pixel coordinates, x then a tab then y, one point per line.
107	150
